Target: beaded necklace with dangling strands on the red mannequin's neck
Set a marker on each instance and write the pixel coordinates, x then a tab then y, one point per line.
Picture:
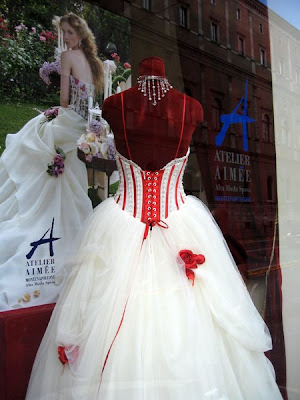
154	86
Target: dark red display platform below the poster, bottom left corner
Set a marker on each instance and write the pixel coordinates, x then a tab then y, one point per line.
21	332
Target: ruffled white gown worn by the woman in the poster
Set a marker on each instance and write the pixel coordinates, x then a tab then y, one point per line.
40	215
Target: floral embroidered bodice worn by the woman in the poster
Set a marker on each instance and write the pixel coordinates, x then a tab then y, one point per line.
79	96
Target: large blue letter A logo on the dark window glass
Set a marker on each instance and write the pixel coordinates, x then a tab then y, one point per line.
235	118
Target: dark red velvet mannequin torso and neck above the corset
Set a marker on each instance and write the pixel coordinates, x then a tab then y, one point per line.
151	127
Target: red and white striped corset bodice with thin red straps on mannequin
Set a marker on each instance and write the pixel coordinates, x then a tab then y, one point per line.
150	195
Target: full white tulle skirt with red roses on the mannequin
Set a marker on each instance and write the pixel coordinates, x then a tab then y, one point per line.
137	329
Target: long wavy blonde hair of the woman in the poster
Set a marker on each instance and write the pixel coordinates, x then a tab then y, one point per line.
88	46
